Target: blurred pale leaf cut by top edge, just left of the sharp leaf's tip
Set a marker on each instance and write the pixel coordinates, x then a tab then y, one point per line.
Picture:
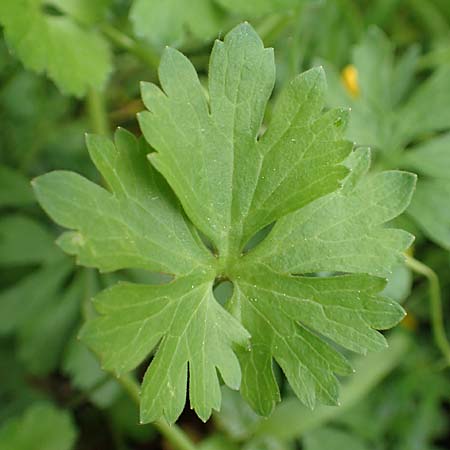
168	22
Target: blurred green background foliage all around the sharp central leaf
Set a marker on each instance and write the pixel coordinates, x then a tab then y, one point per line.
68	67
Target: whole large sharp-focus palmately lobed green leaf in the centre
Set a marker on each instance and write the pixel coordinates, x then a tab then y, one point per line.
230	181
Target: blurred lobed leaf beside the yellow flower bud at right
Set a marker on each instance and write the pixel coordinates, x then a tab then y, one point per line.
390	112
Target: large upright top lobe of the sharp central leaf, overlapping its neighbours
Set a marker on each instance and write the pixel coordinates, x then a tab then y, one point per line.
231	183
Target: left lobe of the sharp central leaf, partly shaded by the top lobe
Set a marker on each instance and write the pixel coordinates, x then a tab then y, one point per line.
138	224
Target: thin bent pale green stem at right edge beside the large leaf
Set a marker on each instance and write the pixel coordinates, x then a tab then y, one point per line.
435	305
